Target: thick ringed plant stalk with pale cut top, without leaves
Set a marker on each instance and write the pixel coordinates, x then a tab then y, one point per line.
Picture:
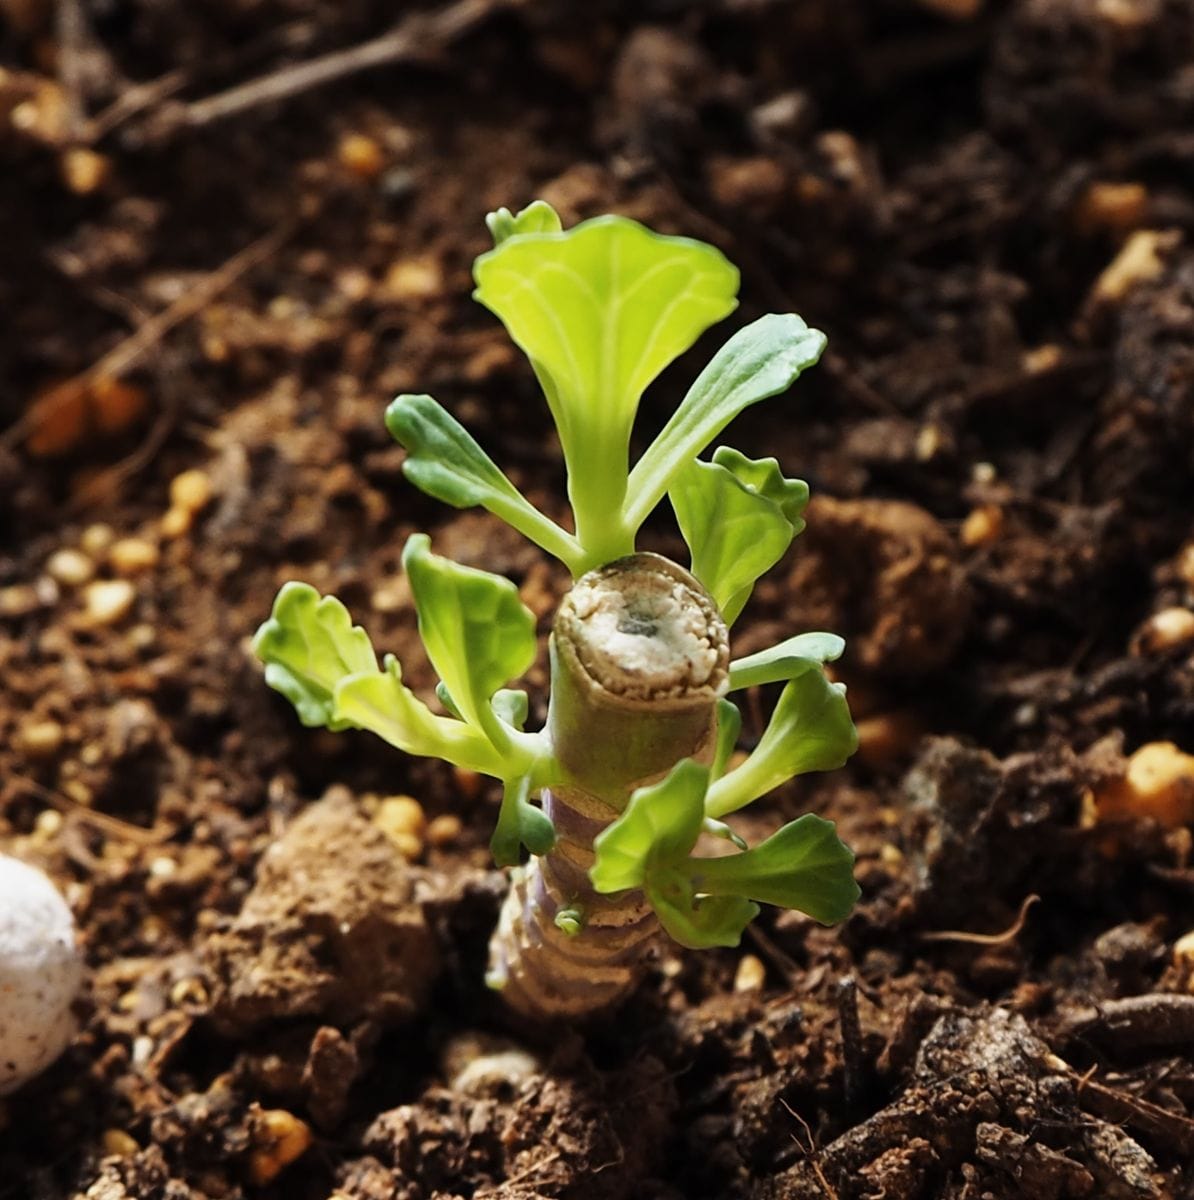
639	659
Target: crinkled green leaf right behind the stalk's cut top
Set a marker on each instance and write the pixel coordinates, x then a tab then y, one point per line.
736	531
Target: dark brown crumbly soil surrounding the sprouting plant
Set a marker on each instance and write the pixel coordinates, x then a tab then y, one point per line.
1003	437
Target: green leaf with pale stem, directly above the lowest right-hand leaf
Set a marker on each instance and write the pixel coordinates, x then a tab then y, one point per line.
811	730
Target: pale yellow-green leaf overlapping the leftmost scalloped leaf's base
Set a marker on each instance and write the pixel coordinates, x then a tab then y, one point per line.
381	703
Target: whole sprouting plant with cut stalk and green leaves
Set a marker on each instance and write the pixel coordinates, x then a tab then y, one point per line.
634	764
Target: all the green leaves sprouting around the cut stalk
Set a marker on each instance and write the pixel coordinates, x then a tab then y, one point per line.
601	310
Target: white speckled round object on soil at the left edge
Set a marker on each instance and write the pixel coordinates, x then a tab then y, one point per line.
40	974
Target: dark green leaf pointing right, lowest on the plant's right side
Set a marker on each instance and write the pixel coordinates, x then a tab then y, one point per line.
806	866
